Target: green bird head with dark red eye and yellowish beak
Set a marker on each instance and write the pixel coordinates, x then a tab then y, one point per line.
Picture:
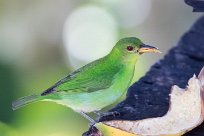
132	47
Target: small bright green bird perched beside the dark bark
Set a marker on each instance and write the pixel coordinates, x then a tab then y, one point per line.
97	84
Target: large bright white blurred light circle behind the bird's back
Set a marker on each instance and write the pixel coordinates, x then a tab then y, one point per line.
90	32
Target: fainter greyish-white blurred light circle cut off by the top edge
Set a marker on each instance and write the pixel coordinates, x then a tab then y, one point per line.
130	12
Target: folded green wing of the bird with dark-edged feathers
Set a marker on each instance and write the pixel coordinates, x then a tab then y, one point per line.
89	78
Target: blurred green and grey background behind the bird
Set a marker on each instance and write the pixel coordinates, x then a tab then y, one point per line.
43	40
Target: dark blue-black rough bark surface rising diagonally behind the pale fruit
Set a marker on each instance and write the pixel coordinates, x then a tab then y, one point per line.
149	97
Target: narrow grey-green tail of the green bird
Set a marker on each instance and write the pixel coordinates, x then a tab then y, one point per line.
24	101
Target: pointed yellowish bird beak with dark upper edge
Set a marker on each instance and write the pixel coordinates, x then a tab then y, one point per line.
147	48
